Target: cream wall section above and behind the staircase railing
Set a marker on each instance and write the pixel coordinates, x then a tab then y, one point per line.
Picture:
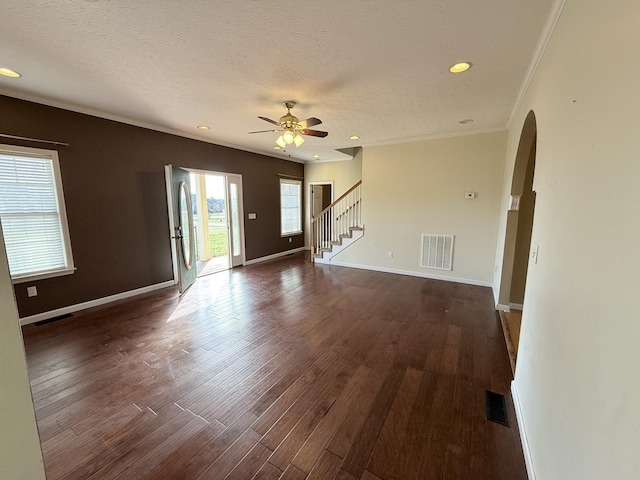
343	175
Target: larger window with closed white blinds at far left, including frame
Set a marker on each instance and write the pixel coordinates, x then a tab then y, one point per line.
33	216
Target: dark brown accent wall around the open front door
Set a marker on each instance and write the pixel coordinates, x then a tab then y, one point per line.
114	188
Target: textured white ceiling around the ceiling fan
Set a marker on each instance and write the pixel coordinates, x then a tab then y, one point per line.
377	69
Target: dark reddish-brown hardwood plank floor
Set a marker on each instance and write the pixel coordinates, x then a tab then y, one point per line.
278	370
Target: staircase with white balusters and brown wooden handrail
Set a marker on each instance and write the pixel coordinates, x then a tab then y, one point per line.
337	226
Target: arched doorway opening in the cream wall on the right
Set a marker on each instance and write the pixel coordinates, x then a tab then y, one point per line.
517	248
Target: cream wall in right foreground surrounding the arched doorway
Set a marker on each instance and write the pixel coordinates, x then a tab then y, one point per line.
577	372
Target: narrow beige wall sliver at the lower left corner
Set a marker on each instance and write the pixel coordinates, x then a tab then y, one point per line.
20	454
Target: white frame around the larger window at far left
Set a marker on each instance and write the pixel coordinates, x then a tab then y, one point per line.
52	156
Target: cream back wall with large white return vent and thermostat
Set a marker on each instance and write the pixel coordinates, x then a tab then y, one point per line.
415	188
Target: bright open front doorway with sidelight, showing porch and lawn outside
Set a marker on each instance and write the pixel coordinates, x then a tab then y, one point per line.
217	220
